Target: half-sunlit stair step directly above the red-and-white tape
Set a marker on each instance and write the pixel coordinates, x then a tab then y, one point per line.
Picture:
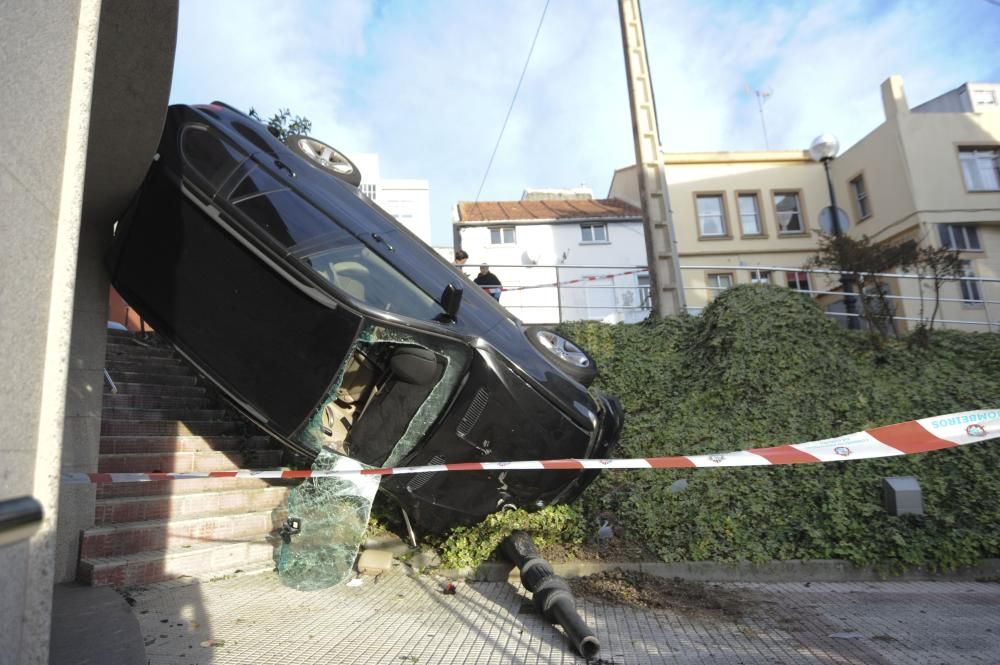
188	461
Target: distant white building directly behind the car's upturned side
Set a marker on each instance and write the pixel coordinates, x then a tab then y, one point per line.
409	200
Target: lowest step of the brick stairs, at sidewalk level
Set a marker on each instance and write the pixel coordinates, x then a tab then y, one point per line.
202	561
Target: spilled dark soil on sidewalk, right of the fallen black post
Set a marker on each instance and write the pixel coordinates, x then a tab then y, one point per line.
635	589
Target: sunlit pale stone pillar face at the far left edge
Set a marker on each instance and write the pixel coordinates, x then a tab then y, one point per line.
48	51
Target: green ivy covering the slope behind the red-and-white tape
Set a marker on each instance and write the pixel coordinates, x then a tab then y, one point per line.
764	366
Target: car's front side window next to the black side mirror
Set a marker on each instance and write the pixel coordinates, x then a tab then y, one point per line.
353	267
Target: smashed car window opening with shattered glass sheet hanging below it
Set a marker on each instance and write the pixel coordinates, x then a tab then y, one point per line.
370	418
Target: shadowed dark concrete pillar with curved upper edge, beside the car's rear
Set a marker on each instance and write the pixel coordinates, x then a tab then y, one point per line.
135	57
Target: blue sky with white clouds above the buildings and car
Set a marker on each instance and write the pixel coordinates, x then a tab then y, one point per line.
426	84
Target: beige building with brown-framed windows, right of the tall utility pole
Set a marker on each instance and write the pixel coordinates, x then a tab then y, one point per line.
931	173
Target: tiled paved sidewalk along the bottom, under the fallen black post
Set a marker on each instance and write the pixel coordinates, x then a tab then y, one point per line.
398	620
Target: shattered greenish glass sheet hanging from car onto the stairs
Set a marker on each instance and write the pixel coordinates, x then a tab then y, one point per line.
333	516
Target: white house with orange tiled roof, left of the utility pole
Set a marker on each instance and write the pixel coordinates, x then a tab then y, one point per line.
560	259
